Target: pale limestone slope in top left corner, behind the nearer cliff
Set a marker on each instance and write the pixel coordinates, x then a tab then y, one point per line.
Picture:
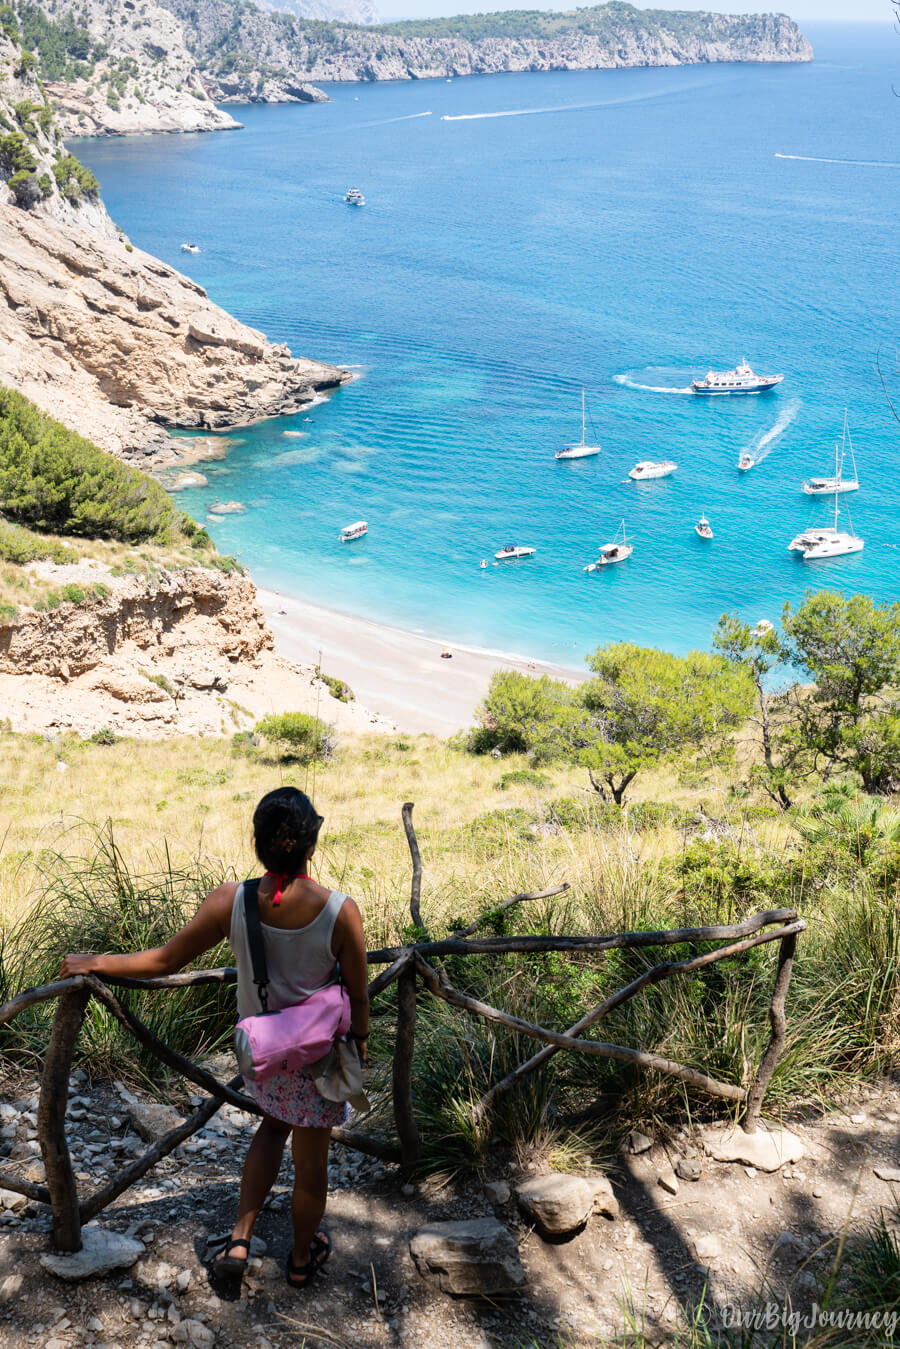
126	72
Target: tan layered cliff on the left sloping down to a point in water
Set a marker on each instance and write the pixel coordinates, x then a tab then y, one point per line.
101	335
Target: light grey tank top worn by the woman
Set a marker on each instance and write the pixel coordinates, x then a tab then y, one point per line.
299	961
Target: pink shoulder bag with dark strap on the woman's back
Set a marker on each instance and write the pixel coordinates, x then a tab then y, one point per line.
295	1038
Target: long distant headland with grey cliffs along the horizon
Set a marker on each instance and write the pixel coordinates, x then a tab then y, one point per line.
584	40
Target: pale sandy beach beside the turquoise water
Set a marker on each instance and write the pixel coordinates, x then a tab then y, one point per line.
396	674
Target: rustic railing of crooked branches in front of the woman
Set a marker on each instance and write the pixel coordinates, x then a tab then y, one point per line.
405	967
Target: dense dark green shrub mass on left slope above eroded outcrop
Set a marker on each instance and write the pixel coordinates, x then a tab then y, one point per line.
59	482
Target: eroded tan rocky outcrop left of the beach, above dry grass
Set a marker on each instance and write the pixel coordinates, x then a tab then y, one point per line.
180	652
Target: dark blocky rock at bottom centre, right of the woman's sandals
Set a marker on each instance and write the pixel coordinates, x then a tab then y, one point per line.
477	1258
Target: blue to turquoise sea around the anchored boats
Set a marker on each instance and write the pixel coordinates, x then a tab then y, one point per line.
617	231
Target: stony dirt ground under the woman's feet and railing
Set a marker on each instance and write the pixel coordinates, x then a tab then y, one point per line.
654	1239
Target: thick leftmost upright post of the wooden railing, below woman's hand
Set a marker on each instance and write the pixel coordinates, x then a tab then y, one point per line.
52	1119
